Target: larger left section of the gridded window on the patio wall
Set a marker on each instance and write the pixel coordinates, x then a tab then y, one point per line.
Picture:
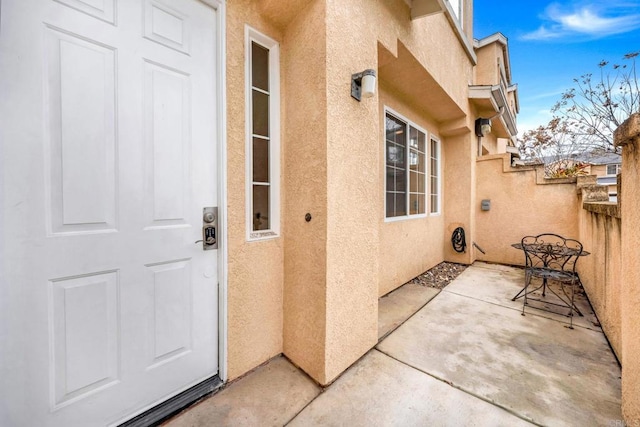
406	168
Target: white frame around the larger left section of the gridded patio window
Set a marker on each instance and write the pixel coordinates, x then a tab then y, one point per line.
409	124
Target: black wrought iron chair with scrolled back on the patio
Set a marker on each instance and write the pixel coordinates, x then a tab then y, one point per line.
552	258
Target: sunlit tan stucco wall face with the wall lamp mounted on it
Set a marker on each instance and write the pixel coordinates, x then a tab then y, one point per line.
352	185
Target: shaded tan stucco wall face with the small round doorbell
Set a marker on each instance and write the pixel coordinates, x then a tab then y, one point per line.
305	176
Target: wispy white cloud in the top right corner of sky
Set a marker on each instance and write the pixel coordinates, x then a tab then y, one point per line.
591	20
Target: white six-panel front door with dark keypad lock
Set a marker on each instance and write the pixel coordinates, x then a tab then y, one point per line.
109	155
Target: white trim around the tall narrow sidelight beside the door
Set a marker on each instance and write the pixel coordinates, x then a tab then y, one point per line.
251	35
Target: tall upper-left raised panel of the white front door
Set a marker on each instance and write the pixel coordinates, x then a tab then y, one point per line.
82	193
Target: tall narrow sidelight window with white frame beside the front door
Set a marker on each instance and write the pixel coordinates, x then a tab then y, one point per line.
263	135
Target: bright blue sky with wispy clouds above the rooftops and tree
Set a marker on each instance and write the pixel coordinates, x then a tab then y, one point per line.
553	42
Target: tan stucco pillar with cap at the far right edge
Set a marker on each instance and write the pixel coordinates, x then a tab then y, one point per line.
628	136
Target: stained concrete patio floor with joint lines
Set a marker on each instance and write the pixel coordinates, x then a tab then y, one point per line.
465	357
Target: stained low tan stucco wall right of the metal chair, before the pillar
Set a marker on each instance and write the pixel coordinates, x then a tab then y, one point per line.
600	235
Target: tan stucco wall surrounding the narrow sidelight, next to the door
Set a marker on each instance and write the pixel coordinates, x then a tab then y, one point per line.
255	274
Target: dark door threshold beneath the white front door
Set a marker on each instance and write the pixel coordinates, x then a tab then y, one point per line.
157	414
